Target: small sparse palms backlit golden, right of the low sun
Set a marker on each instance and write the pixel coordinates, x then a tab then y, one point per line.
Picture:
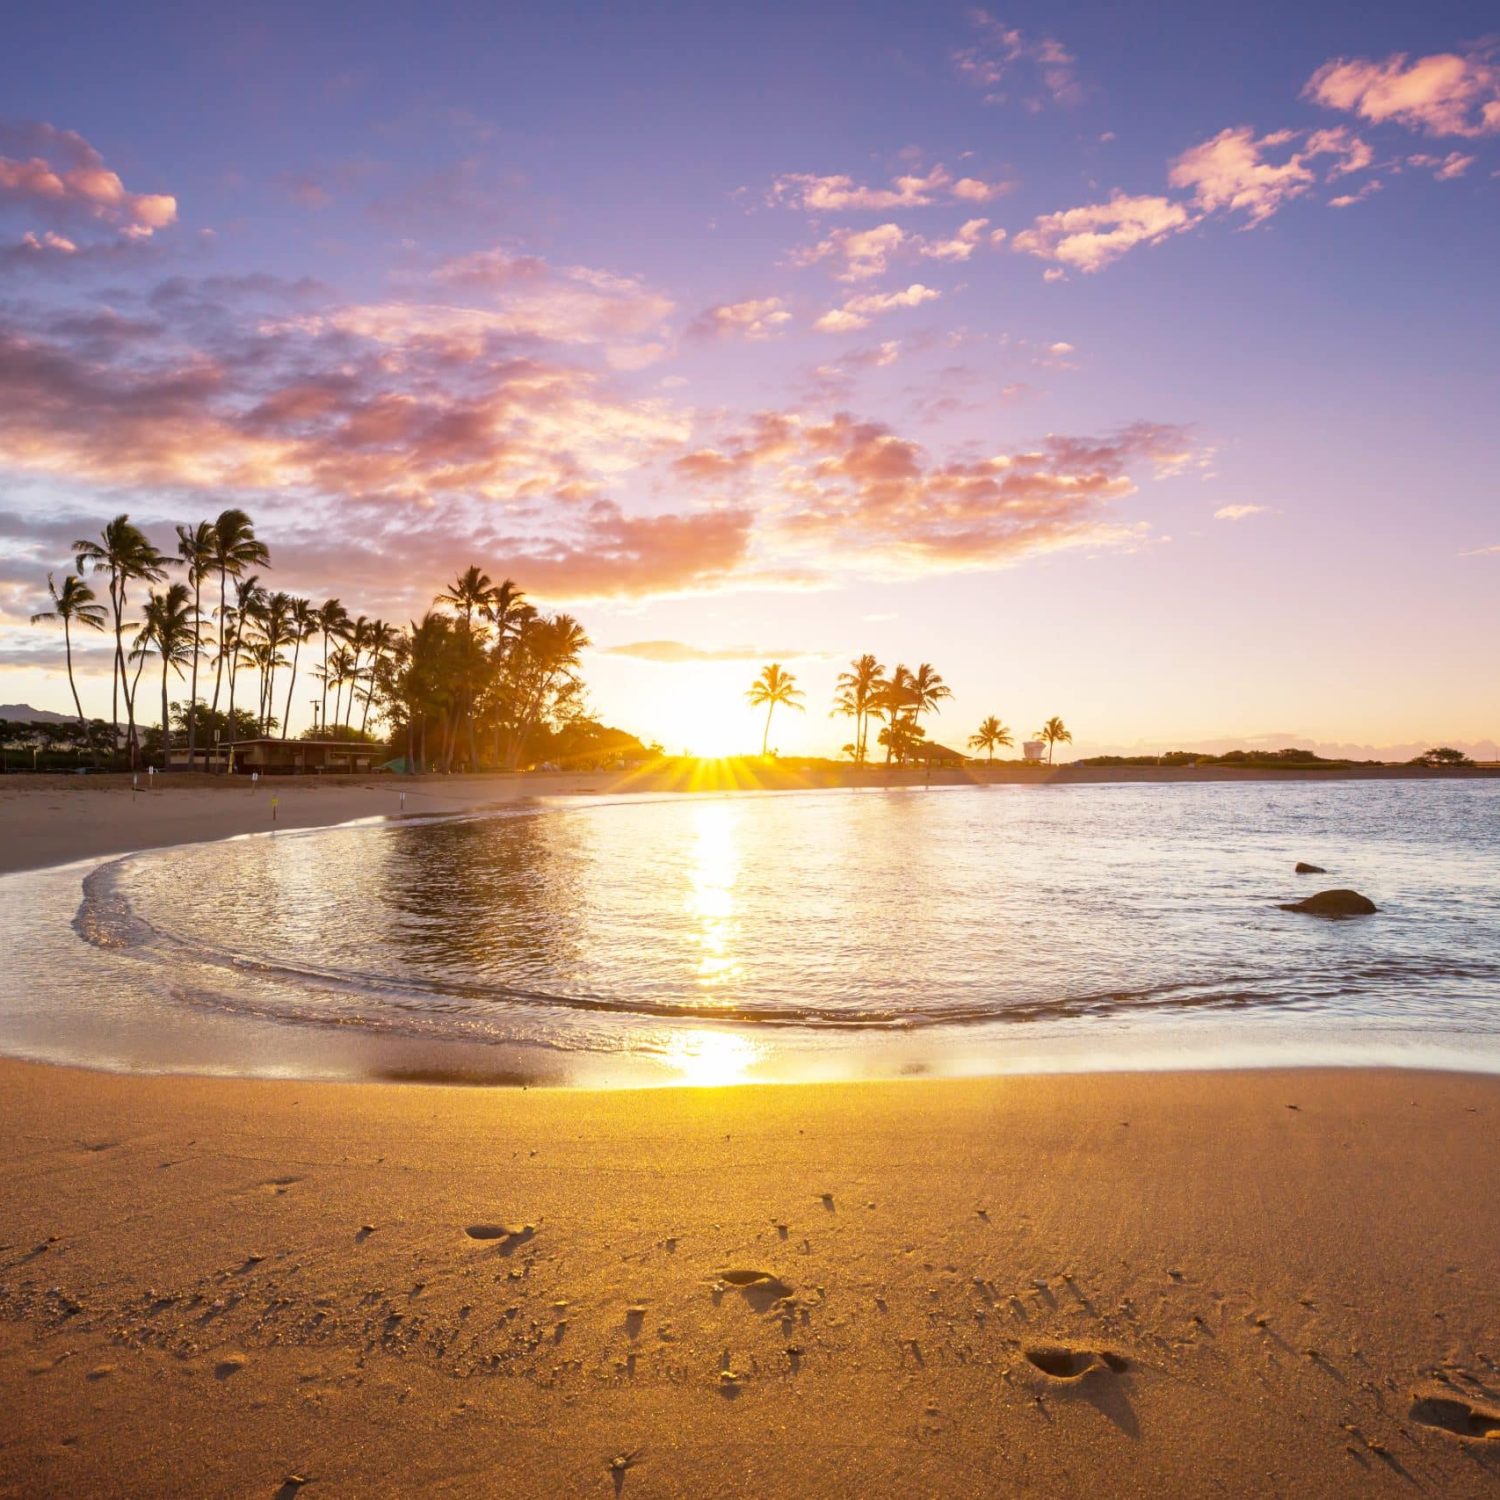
896	701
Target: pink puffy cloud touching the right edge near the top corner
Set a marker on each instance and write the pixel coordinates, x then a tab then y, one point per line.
1445	94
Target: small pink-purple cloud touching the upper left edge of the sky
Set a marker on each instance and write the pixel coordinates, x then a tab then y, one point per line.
64	181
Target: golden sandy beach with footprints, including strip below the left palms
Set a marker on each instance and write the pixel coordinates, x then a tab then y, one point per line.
1255	1283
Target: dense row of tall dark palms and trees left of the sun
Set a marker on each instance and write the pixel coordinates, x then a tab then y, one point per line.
493	667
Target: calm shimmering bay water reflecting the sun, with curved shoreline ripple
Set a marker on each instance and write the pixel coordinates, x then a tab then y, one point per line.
785	937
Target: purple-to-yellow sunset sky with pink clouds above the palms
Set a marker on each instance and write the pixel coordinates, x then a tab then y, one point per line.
1130	364
